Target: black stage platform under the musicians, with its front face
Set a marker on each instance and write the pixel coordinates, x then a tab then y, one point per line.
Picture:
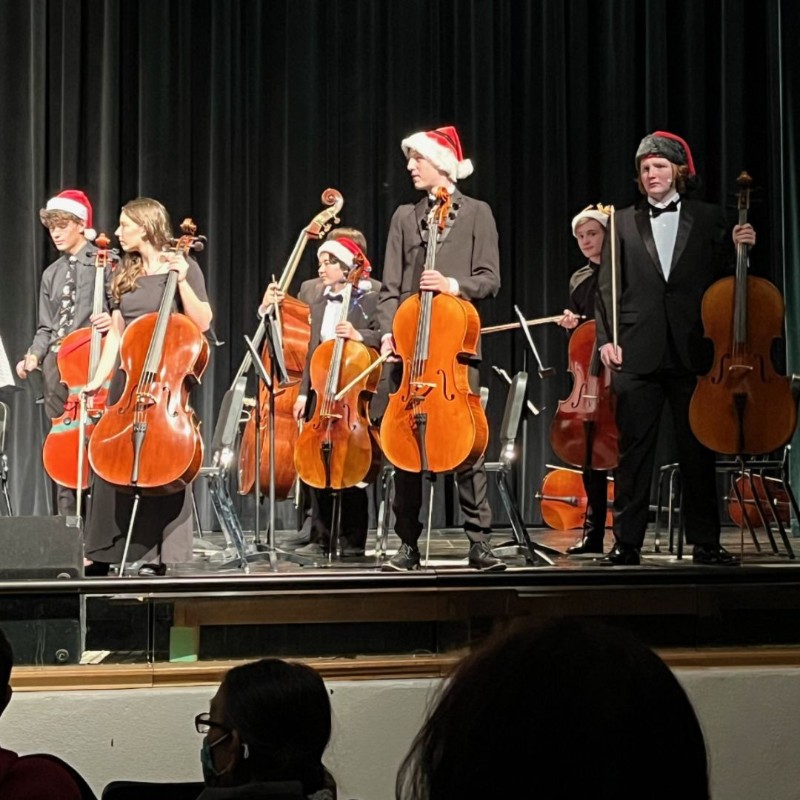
352	609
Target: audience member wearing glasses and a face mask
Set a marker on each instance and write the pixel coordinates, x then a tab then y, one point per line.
266	730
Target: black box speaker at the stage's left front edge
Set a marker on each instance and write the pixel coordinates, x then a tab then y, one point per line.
41	547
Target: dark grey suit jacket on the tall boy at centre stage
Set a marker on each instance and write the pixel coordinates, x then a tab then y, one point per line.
467	251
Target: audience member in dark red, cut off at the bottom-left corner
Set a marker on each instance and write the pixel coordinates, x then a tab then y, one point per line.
33	777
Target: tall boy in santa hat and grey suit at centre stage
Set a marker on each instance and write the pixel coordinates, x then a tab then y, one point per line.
468	266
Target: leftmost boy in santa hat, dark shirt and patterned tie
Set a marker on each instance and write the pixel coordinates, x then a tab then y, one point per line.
66	298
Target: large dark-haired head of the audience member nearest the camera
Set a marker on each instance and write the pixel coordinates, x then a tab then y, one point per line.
578	709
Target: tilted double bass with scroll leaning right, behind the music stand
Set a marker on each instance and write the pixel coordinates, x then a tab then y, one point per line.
295	332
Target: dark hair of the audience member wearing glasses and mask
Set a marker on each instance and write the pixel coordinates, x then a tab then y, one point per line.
282	712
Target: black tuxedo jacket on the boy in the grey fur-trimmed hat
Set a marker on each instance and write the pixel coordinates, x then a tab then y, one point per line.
654	309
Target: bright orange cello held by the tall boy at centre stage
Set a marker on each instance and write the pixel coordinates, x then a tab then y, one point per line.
434	422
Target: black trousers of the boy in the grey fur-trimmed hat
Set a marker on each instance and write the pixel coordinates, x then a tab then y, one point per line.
640	400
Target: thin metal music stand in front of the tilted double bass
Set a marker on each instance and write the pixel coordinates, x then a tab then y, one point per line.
278	375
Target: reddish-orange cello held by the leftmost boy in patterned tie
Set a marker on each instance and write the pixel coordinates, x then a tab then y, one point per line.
64	450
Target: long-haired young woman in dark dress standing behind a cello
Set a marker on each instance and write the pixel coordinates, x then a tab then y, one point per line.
162	532
